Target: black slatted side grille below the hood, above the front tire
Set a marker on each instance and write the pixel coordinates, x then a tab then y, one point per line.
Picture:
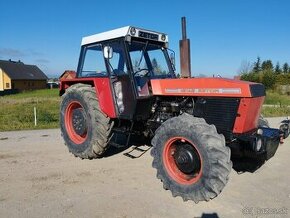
221	112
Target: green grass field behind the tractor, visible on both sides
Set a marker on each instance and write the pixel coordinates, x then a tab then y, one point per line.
17	111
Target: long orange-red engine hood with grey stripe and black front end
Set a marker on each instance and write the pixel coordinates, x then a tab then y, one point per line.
218	87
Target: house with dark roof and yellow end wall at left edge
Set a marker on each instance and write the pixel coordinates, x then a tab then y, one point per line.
19	76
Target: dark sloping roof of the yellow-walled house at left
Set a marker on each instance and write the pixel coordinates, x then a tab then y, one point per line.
21	71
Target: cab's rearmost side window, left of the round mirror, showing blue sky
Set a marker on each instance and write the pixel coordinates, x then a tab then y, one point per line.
94	63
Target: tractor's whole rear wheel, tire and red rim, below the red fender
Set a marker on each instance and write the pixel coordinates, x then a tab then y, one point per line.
86	130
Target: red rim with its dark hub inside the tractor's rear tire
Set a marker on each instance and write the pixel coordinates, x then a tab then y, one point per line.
75	122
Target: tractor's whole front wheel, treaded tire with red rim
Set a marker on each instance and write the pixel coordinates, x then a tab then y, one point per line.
191	158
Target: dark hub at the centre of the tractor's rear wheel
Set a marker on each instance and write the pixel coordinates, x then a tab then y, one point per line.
79	121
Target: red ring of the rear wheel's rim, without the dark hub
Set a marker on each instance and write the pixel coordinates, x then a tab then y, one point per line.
69	123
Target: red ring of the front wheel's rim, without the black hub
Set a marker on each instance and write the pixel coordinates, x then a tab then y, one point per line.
172	167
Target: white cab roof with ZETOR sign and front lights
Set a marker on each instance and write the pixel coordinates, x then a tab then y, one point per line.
125	31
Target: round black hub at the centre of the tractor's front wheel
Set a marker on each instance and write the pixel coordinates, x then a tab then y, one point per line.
187	159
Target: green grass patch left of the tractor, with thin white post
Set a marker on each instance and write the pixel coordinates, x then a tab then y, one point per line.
17	111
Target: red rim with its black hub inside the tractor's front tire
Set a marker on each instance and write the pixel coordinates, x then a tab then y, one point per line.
182	160
